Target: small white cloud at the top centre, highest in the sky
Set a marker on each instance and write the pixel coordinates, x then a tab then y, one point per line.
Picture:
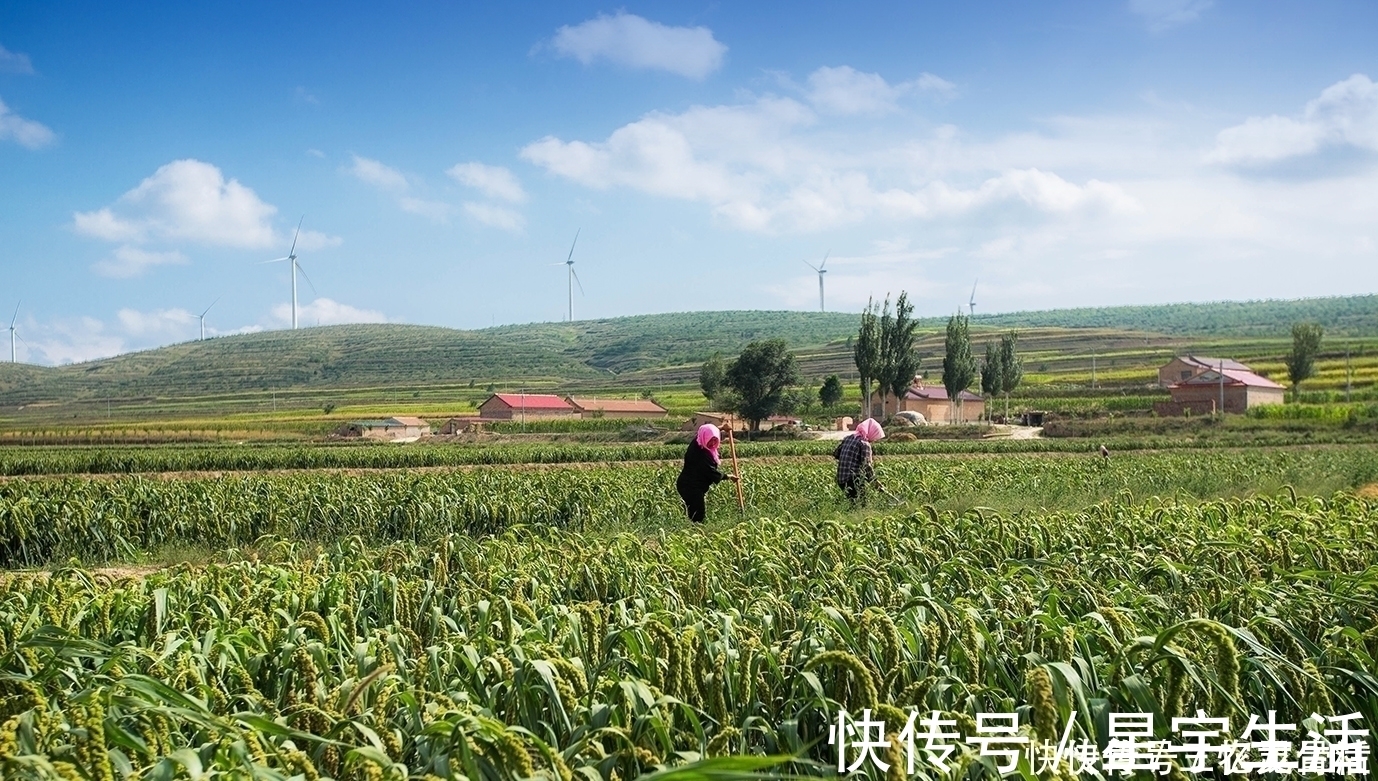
635	42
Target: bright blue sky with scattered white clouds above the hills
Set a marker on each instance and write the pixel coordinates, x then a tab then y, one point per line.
446	155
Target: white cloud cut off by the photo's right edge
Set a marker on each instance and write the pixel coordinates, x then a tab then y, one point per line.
1344	115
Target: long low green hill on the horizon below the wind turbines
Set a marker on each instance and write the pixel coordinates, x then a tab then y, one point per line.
599	352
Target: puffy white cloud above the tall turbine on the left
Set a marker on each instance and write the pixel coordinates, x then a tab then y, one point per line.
189	200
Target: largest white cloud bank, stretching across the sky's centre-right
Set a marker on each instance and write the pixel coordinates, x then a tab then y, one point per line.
757	169
